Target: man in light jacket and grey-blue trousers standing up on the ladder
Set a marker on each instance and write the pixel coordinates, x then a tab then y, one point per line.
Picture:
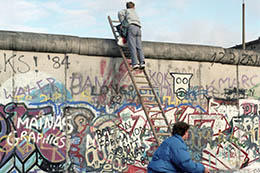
129	19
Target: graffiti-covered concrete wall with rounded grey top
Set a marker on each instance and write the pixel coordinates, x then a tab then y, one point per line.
67	104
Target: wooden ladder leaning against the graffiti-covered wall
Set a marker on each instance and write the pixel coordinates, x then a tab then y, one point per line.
146	93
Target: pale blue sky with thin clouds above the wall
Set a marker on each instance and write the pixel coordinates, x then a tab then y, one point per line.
200	22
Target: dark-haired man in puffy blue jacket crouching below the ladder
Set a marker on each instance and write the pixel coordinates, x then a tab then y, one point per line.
172	156
